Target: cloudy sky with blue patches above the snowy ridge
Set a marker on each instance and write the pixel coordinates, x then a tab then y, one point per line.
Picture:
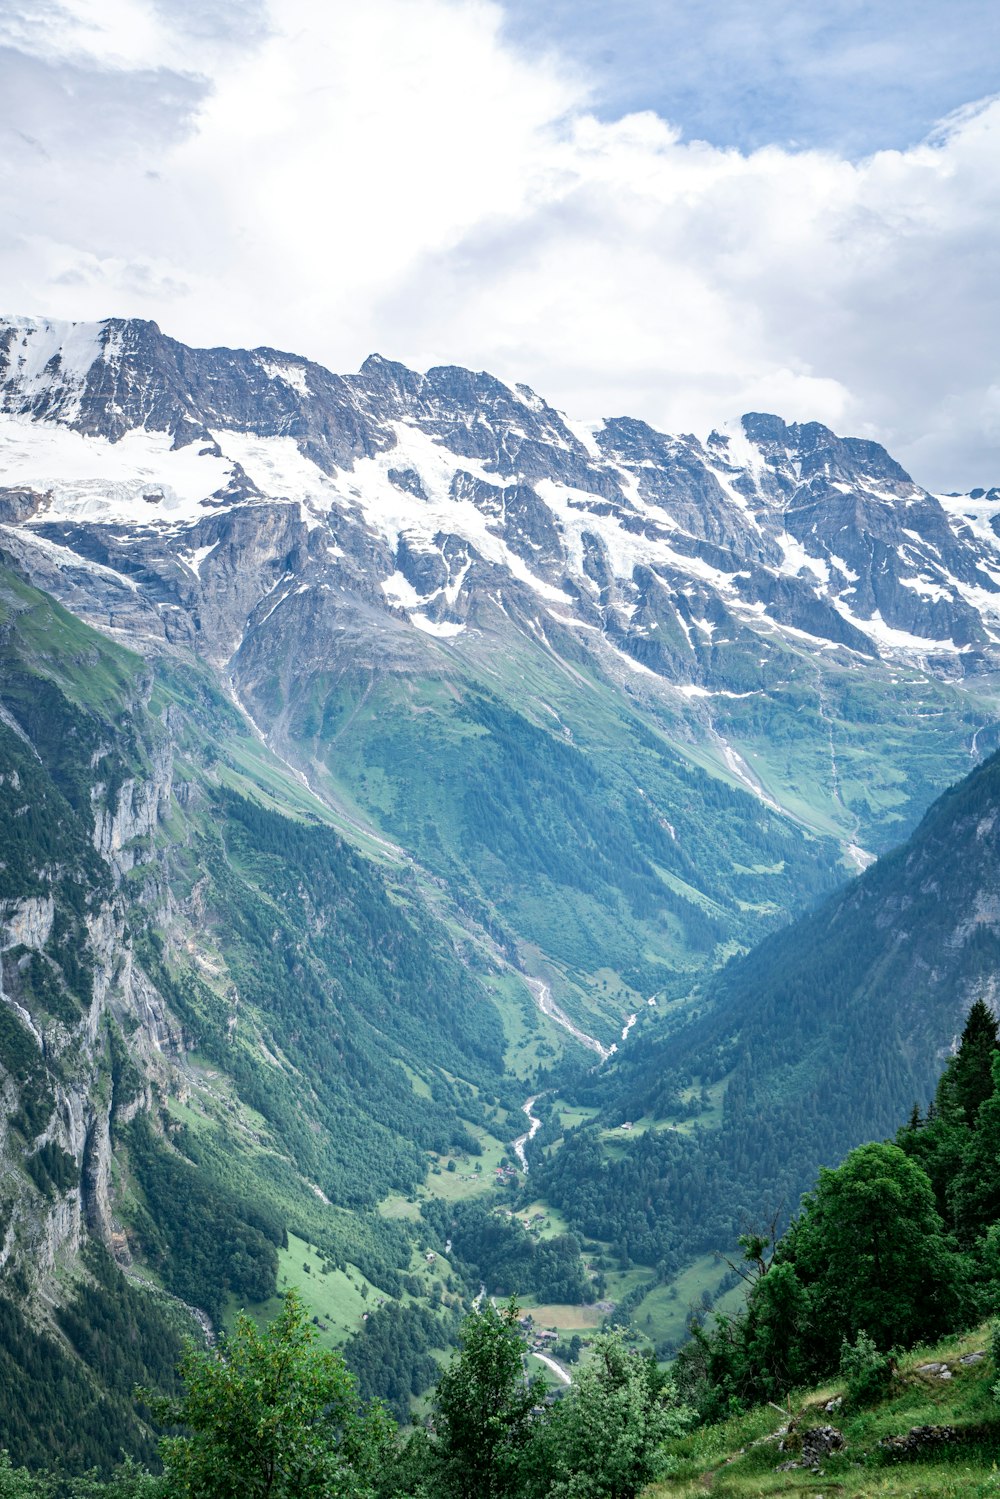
665	209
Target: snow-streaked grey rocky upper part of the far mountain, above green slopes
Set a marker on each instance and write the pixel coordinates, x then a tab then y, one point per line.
449	500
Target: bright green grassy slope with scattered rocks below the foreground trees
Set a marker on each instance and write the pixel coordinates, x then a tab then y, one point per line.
738	1459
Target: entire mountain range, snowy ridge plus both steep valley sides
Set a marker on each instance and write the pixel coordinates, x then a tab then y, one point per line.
383	749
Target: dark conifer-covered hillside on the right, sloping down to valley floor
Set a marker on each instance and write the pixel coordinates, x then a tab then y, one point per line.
822	1037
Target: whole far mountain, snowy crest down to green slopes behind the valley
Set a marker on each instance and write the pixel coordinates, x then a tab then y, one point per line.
364	557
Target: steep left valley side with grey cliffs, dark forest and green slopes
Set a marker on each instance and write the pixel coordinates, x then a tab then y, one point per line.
211	1014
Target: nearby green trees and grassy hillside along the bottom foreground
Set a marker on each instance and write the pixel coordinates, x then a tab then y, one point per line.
894	1251
